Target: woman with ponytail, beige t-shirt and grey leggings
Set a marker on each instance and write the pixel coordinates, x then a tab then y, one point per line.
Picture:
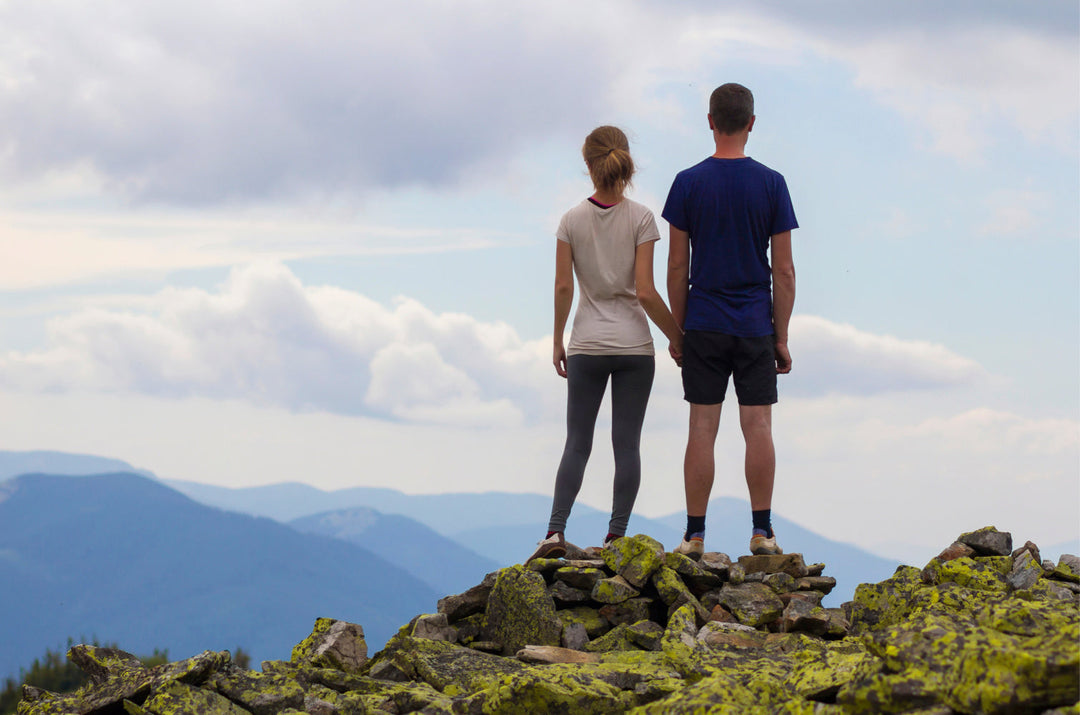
606	241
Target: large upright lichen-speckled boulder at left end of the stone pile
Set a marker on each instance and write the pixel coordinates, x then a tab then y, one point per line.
520	612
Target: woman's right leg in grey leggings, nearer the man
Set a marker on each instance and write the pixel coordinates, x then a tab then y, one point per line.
631	384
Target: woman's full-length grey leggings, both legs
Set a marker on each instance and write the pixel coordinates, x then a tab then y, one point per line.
587	381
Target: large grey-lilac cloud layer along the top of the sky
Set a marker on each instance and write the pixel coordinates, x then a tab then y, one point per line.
199	103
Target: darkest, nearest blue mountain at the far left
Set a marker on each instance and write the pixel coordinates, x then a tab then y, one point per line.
124	559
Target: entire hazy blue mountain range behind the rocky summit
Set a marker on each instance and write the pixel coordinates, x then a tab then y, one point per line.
91	547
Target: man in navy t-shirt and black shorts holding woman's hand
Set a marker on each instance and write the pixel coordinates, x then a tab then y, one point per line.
734	305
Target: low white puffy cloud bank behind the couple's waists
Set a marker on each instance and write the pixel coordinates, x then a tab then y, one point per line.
268	340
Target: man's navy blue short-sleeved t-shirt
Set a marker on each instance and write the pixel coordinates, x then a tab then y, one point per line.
731	208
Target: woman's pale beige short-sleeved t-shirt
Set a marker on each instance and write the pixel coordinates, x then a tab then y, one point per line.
610	320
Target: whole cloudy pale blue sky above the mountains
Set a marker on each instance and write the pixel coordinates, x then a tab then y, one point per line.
247	244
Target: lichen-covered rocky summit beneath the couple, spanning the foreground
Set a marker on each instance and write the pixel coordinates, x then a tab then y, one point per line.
982	629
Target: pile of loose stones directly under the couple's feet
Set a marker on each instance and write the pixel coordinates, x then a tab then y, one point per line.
624	598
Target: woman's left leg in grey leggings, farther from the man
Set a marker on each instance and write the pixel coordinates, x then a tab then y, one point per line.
586	383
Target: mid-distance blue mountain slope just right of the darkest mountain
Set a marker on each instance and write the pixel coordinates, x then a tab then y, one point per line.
441	563
